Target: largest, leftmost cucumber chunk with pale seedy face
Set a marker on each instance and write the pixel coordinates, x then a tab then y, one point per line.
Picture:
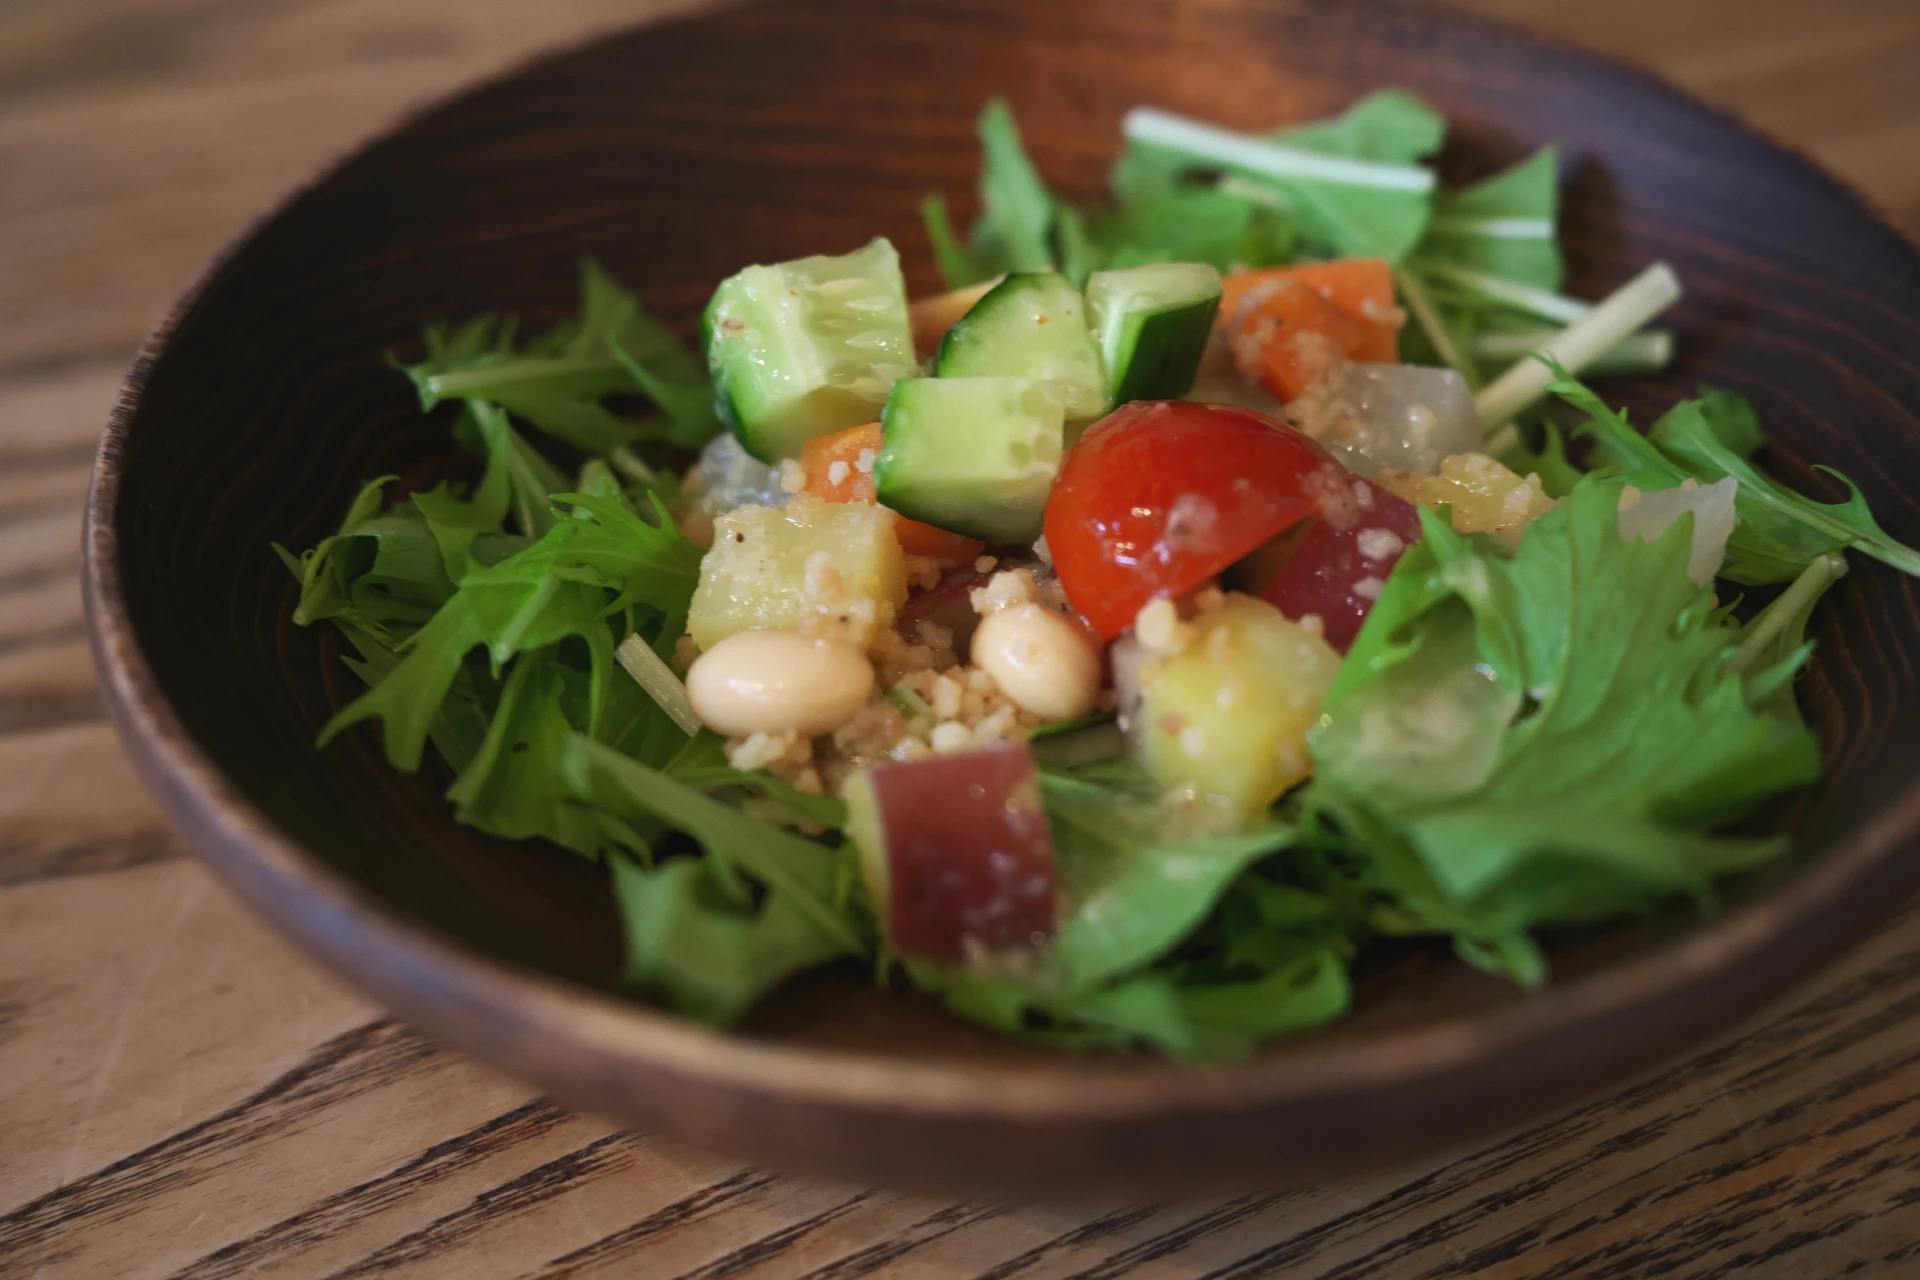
807	348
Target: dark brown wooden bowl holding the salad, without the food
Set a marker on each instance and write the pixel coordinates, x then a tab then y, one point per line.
681	153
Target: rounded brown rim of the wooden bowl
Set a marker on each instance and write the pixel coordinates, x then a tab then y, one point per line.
468	999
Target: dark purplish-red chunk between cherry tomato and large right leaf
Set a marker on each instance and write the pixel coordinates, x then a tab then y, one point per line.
1337	571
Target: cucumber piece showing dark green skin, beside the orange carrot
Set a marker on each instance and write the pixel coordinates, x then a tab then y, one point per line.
1153	325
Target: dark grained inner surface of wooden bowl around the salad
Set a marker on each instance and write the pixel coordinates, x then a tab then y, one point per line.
683	153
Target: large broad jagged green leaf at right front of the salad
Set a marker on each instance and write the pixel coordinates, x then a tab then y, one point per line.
1623	734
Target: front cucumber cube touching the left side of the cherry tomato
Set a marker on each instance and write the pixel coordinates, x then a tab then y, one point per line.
972	456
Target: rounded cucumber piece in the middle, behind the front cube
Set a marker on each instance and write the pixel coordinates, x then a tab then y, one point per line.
1030	325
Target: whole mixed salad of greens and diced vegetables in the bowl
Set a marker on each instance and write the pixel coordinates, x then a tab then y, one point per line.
1207	588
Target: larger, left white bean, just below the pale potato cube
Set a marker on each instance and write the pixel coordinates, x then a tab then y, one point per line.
779	682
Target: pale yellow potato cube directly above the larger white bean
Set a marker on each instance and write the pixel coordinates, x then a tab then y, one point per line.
817	567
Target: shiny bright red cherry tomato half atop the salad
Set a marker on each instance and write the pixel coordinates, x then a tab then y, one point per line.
1161	496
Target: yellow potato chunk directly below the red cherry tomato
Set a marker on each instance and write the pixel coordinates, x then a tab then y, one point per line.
1230	713
